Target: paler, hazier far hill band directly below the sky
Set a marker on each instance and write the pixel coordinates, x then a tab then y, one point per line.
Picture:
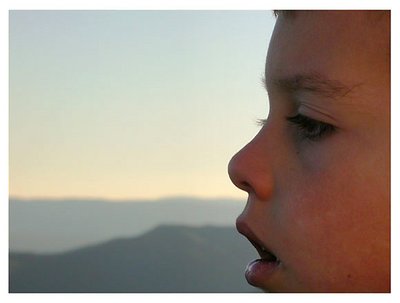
49	226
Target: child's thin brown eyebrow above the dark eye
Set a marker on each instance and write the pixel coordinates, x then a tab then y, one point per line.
314	83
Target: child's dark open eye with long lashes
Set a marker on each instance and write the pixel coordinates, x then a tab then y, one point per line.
311	129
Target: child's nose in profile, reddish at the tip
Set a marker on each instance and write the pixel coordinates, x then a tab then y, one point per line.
251	170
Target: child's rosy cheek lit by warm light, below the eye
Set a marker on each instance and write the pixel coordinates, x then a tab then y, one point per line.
336	220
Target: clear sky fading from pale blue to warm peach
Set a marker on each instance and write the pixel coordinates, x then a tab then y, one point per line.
133	104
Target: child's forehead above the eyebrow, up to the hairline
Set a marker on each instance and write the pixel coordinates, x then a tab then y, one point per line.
345	45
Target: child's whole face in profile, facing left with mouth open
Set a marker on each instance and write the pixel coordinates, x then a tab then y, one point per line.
318	190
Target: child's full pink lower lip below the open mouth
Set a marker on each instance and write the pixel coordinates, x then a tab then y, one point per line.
258	271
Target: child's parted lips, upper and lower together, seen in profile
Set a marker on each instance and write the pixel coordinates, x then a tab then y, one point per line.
259	271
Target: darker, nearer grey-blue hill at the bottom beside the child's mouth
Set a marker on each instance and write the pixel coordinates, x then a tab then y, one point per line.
166	259
